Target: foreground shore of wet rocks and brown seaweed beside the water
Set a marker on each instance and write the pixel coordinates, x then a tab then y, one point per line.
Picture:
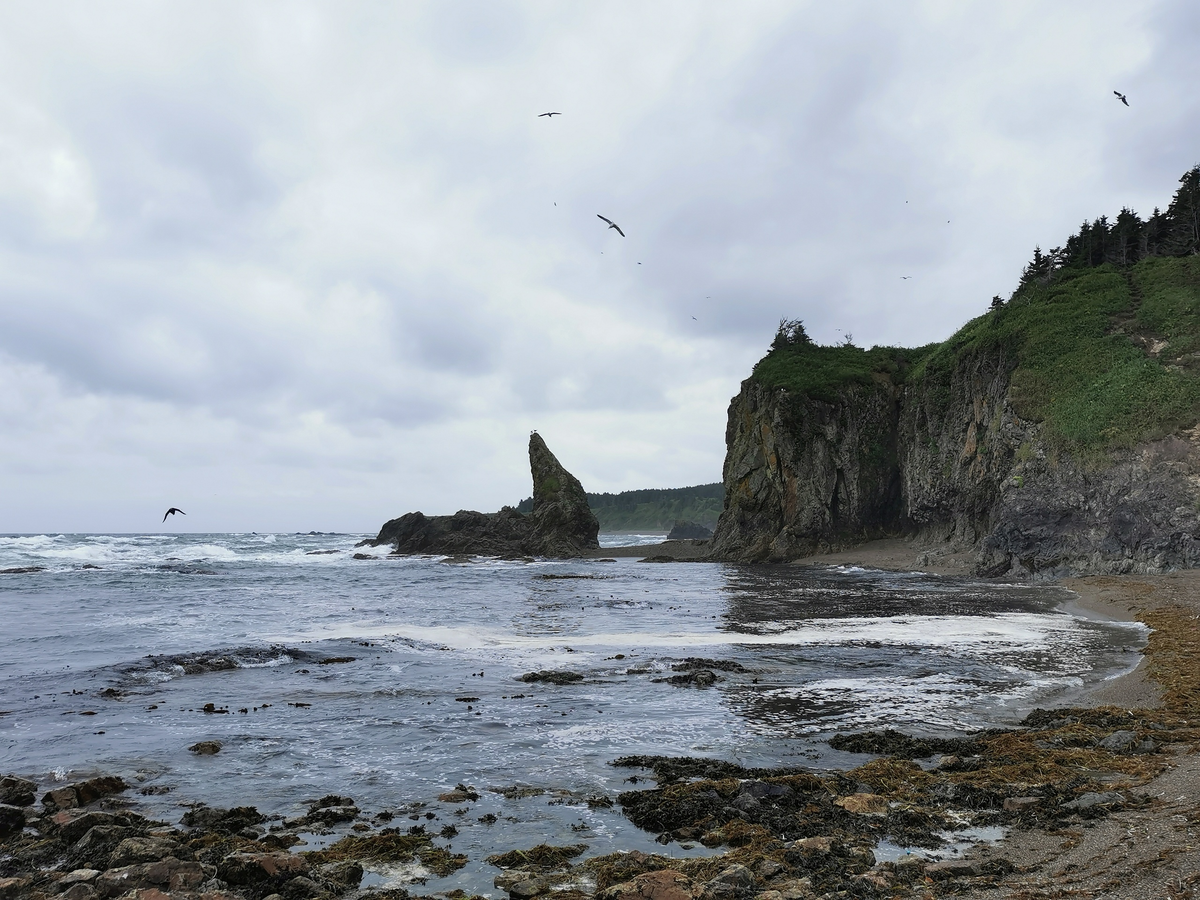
779	835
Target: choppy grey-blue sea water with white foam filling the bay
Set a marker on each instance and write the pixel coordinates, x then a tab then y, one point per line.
393	680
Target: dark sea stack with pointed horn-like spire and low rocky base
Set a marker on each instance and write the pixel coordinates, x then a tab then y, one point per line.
561	526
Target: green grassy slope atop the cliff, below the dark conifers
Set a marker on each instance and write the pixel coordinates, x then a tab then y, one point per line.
1105	356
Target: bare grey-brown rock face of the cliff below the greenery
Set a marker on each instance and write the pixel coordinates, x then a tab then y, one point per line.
949	460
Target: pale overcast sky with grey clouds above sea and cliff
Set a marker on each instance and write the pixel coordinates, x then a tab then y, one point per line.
298	266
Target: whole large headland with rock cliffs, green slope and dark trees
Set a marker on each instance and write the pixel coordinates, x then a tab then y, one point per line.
1053	436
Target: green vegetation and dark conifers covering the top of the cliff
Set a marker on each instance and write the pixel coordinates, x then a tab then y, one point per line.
1101	339
